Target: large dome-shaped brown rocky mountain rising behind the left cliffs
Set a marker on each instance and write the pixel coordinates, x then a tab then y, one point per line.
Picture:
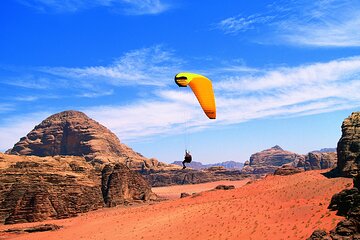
75	134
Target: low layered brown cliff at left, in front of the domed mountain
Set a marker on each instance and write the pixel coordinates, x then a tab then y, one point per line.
37	188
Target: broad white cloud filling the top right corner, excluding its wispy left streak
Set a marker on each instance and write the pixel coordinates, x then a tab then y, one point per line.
332	23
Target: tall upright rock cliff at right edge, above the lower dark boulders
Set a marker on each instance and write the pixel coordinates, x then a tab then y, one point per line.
348	149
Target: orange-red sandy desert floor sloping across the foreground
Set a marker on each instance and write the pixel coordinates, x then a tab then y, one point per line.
277	207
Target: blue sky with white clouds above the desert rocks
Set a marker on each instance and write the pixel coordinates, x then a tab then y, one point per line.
284	72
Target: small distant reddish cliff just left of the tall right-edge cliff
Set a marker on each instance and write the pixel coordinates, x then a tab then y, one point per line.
320	160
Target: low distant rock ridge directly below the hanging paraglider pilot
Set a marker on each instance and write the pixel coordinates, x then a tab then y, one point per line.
189	176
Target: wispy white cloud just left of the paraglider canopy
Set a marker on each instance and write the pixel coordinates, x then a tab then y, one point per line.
148	66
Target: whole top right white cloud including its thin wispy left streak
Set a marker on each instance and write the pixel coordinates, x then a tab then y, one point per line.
323	23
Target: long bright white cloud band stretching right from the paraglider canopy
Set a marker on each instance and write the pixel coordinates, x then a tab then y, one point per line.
314	74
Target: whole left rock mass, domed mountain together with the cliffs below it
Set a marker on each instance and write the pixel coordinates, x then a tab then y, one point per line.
81	166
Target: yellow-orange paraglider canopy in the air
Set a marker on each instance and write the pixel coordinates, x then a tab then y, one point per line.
202	88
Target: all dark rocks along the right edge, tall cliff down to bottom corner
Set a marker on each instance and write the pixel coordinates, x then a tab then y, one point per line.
347	202
